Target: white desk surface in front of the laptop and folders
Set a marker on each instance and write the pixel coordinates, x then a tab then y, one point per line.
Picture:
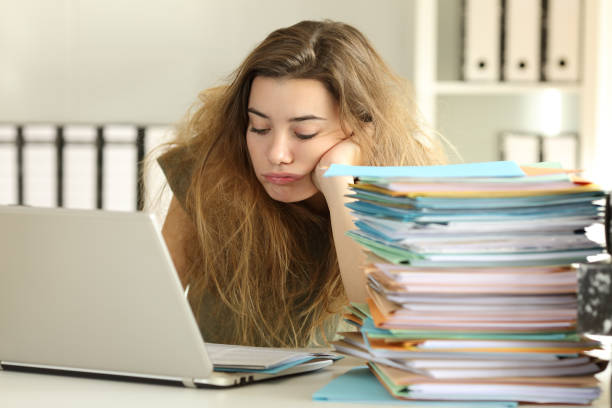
36	390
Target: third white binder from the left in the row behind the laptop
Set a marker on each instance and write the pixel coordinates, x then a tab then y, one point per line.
79	167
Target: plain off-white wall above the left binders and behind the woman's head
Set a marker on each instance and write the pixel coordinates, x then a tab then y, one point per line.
144	61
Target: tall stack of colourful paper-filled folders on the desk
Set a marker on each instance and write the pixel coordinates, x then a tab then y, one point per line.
471	292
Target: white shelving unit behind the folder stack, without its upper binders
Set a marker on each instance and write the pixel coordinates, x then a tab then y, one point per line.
472	114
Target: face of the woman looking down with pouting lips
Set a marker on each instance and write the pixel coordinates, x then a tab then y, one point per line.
292	123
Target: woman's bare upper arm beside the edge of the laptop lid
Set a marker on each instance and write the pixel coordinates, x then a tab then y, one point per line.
177	230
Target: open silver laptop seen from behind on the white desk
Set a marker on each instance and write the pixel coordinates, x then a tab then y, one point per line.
96	293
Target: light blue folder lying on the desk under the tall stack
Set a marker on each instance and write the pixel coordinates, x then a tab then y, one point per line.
360	385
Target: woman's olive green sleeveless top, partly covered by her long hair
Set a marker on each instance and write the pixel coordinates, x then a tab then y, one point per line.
212	319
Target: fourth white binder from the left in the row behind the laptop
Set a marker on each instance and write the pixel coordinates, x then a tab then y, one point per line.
119	168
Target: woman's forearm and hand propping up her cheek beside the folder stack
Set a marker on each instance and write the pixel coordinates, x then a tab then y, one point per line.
351	258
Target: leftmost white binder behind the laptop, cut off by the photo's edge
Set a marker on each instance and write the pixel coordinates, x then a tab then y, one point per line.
8	165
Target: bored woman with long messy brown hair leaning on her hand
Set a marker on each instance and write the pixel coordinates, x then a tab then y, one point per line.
254	229
